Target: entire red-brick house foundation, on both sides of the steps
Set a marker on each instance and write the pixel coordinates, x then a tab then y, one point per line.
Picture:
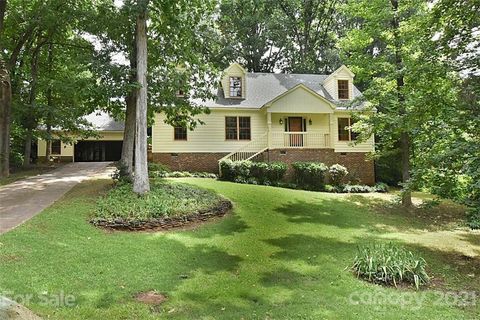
358	166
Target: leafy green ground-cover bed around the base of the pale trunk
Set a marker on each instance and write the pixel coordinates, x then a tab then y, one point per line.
164	200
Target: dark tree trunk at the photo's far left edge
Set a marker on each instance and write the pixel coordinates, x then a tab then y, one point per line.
5	103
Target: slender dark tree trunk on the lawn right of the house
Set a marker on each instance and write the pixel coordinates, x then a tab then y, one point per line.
400	83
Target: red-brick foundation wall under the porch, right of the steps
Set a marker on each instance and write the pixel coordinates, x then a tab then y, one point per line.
356	162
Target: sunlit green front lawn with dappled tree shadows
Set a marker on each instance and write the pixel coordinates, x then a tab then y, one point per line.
282	254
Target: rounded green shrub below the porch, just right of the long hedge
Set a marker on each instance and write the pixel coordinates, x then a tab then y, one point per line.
310	175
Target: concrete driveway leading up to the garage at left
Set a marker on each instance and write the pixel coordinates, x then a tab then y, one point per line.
21	200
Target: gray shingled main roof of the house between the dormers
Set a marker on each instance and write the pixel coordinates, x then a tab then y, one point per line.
264	87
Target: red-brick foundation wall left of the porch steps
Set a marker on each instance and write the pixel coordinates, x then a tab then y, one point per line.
194	162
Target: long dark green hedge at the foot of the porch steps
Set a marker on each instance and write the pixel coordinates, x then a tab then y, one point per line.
245	171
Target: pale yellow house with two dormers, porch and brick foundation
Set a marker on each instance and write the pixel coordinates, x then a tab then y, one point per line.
273	117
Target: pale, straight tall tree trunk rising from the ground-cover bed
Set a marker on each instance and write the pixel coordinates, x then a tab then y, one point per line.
141	184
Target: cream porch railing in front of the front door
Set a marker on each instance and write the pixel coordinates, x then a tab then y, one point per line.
300	140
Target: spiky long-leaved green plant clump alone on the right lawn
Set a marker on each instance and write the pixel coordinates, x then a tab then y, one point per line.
389	264
